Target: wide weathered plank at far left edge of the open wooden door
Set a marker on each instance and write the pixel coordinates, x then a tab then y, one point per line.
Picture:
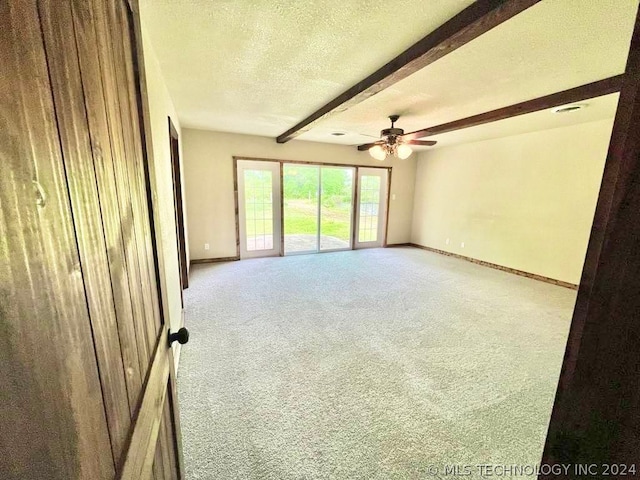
51	396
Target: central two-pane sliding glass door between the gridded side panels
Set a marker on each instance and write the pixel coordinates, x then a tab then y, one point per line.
318	208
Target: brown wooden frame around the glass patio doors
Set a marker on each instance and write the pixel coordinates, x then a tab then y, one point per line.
237	158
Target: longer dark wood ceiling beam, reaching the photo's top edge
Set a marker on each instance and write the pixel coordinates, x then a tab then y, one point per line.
473	21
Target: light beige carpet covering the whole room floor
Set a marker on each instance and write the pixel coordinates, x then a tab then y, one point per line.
372	364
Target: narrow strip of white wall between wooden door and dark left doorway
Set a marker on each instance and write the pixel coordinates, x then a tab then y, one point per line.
161	107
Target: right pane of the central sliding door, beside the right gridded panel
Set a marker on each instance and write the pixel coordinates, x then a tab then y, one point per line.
336	206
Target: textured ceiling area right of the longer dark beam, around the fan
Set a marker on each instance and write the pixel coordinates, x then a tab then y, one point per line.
548	48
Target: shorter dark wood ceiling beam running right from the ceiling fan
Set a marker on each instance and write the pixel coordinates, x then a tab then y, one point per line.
573	95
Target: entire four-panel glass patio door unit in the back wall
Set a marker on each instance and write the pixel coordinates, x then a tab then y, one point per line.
292	208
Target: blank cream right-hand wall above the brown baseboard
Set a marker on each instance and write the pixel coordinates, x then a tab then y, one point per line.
525	201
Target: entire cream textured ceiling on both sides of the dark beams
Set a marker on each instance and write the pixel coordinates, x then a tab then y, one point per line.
259	67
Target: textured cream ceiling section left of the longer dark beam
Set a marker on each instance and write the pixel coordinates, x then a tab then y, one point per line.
259	66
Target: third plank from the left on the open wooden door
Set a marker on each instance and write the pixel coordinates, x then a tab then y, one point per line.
93	72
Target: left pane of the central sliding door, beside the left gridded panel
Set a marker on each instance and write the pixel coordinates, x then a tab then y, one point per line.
301	226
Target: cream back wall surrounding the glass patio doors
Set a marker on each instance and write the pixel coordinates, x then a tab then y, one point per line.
208	166
